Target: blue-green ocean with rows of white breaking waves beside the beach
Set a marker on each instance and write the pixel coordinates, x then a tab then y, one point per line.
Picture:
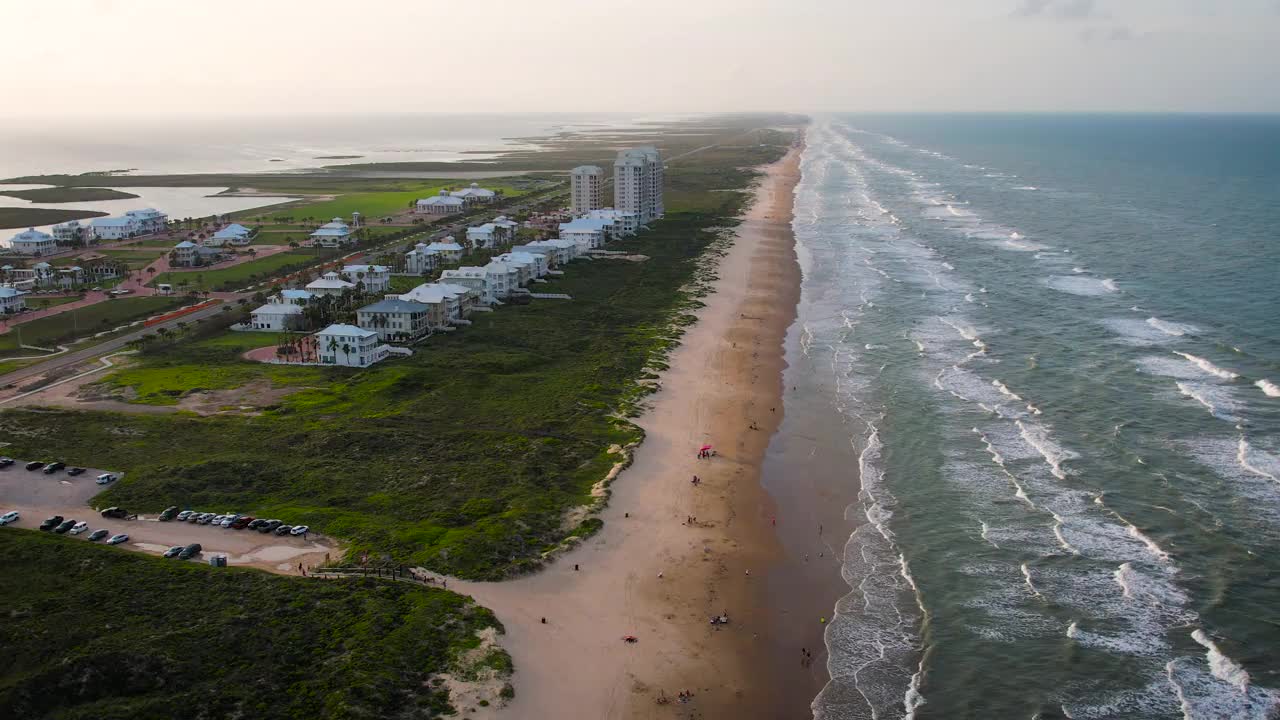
1055	344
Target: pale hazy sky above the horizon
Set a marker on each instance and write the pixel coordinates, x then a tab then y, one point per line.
120	57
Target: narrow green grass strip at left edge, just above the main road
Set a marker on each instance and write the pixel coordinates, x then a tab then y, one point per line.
71	325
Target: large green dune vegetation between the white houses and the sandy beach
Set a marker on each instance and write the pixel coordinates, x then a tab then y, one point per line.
464	458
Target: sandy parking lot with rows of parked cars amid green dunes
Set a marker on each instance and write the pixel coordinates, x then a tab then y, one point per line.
38	496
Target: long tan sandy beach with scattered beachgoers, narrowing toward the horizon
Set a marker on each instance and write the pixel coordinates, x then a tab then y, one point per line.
653	575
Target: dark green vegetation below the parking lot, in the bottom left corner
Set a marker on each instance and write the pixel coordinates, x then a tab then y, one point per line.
103	634
